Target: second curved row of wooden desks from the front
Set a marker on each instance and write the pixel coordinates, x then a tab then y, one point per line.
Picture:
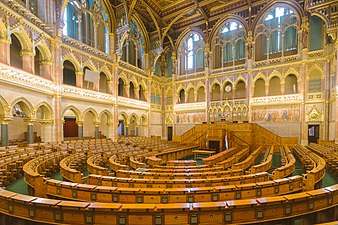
85	192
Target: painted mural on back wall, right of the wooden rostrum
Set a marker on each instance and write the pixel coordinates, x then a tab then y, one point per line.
276	114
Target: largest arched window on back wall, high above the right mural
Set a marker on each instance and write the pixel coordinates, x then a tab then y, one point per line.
277	34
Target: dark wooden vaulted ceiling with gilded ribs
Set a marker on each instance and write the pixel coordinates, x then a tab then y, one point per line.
171	17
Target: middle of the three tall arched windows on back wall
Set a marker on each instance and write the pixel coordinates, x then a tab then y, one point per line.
229	45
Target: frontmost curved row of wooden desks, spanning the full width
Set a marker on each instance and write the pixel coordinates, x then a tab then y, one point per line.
221	212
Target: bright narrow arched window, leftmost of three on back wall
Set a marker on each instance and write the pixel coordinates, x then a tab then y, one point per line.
192	54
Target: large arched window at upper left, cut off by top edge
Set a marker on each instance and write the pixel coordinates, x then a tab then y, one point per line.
79	18
